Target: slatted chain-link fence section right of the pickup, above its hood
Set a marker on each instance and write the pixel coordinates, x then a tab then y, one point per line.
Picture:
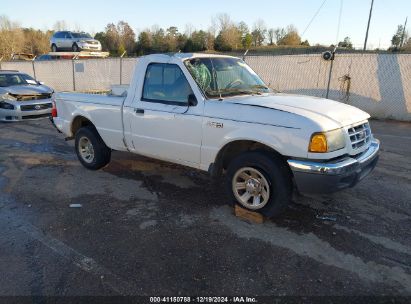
380	84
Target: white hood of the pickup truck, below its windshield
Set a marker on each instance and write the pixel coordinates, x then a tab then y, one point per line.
321	110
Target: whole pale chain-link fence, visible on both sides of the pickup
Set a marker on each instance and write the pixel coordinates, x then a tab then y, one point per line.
380	84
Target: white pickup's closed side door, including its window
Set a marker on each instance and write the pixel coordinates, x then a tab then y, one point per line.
162	124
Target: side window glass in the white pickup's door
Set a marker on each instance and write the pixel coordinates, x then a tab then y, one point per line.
166	83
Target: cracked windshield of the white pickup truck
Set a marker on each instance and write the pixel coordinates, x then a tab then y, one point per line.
225	77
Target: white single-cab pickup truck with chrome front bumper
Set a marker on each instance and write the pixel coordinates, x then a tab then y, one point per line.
214	113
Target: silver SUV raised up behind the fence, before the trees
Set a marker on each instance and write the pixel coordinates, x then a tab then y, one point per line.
75	42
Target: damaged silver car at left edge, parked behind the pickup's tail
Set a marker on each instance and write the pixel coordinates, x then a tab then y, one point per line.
22	97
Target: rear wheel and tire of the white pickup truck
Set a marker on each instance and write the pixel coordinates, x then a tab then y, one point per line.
91	150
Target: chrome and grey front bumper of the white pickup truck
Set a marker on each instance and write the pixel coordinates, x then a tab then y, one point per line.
327	177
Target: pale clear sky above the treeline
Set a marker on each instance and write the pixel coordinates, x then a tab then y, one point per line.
92	16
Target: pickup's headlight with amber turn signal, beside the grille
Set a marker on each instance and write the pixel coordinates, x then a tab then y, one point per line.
324	142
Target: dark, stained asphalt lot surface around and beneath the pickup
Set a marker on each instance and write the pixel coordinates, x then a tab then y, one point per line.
151	228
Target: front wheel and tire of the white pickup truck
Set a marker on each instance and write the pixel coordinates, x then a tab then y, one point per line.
263	175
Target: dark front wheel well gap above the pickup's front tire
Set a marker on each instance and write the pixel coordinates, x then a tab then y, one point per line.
234	149
